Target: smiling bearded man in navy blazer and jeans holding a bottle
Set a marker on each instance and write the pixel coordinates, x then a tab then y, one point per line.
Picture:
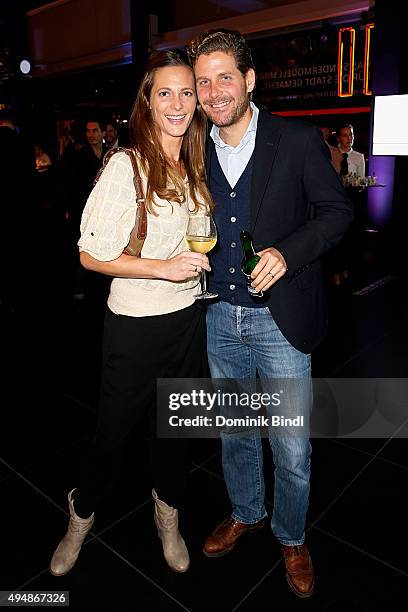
274	177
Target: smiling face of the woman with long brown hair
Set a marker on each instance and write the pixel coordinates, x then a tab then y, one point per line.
172	102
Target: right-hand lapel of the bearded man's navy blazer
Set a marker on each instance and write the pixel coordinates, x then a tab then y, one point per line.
266	147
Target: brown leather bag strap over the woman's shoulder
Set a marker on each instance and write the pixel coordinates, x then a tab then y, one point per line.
139	231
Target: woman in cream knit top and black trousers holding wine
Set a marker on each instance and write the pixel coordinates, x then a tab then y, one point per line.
153	329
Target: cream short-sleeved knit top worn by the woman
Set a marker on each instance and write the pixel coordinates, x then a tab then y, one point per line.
107	221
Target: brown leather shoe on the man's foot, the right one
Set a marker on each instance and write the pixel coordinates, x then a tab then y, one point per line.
299	570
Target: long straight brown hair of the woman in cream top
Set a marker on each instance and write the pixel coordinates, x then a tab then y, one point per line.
162	179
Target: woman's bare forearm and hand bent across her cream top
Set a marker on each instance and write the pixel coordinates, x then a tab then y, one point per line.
179	268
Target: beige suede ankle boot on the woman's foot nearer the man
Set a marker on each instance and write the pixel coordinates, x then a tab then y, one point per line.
174	547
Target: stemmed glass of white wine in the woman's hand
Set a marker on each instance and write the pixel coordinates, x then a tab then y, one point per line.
201	237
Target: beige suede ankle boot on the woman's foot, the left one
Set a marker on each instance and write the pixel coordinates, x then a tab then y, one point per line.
68	549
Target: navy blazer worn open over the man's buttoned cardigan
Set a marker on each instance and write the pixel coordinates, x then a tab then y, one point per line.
300	207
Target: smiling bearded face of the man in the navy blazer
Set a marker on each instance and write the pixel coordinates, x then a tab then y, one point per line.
222	89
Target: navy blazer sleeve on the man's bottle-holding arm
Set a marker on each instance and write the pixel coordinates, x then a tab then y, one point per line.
330	211
